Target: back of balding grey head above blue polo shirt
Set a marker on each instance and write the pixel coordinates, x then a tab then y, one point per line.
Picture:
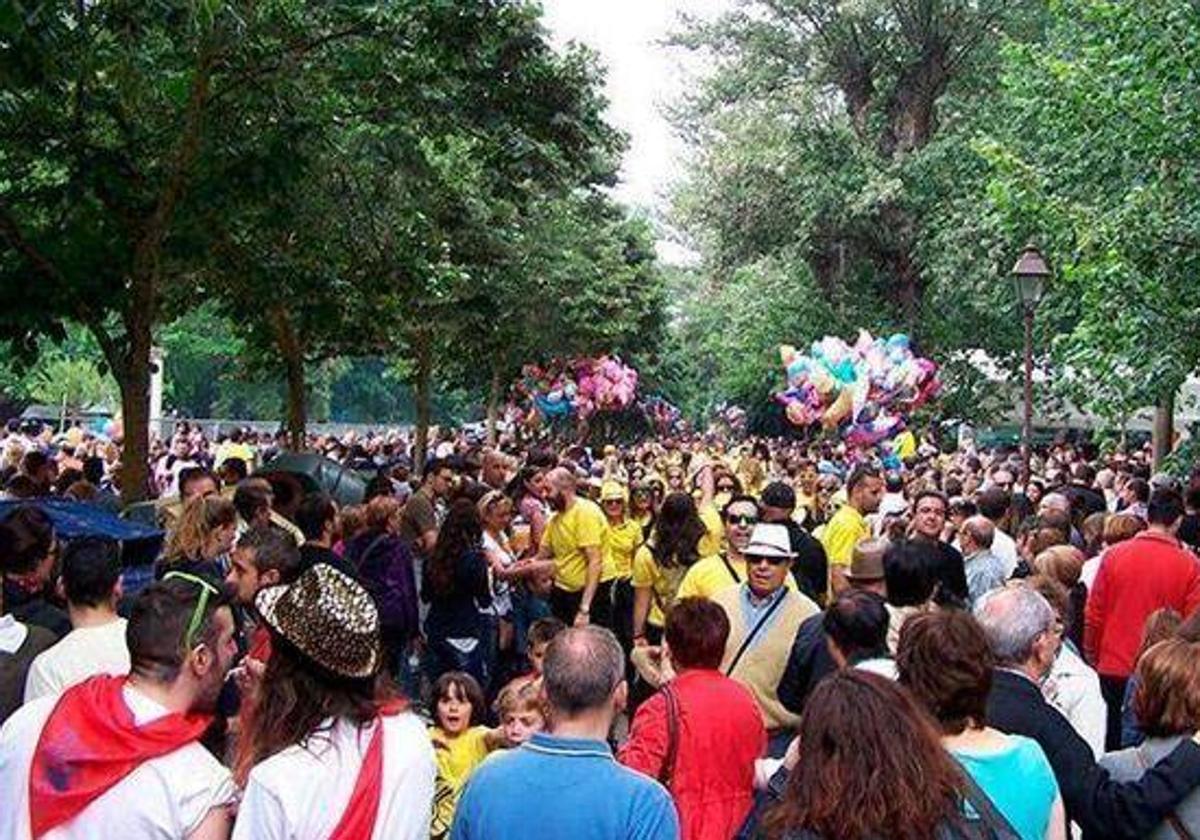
583	669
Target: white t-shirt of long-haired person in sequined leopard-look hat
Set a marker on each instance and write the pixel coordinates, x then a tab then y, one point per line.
302	793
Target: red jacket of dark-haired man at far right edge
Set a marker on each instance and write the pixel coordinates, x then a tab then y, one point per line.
1137	578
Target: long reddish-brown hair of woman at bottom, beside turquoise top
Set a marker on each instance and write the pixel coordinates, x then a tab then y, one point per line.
873	766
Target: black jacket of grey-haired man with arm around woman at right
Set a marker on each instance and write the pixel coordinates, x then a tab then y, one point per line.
1102	807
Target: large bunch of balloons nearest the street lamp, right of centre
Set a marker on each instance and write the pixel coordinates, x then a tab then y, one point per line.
867	391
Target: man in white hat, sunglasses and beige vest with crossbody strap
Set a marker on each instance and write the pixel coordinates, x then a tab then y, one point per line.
765	616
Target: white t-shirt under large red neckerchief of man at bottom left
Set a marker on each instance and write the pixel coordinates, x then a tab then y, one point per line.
164	799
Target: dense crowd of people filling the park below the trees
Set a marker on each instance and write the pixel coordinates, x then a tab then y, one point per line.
677	639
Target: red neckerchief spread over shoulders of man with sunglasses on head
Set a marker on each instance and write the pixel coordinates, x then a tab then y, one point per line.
89	743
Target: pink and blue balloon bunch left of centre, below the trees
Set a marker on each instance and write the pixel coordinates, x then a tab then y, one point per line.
579	387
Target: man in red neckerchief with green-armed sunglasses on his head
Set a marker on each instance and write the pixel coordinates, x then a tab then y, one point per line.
121	757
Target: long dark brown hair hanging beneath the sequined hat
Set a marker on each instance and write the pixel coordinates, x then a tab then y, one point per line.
295	698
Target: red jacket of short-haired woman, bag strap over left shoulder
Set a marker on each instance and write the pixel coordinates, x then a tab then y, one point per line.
721	737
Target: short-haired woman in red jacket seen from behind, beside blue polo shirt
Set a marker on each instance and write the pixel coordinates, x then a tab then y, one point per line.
700	735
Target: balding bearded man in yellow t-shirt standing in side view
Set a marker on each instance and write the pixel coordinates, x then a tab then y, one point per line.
574	541
